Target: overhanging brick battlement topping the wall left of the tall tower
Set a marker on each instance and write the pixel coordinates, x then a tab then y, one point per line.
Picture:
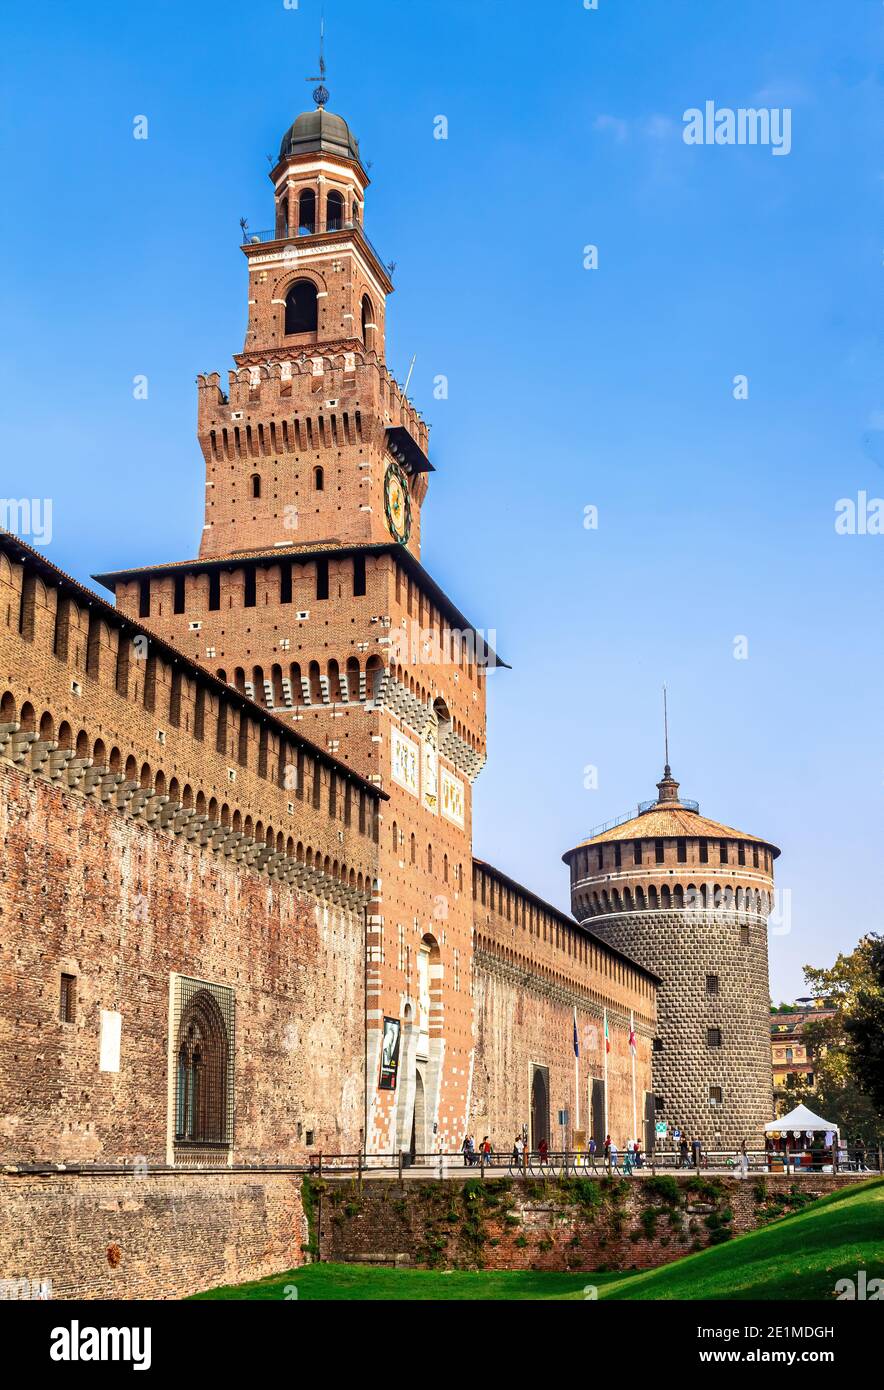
97	704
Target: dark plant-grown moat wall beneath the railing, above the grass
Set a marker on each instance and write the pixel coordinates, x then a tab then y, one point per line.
578	1224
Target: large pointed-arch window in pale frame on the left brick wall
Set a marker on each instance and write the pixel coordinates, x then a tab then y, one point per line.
204	1082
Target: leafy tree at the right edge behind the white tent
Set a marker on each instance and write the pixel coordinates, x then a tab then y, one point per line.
847	1047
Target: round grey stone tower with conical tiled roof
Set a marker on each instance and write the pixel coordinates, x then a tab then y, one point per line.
689	899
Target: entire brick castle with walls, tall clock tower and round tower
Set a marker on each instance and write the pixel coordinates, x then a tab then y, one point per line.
241	918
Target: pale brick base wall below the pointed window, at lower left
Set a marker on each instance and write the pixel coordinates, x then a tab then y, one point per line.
156	1236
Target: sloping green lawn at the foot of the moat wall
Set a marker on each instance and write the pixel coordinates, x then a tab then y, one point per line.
799	1257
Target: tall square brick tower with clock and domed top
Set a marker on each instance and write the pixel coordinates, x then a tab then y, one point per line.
309	597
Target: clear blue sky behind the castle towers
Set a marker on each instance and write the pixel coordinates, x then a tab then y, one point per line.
568	387
